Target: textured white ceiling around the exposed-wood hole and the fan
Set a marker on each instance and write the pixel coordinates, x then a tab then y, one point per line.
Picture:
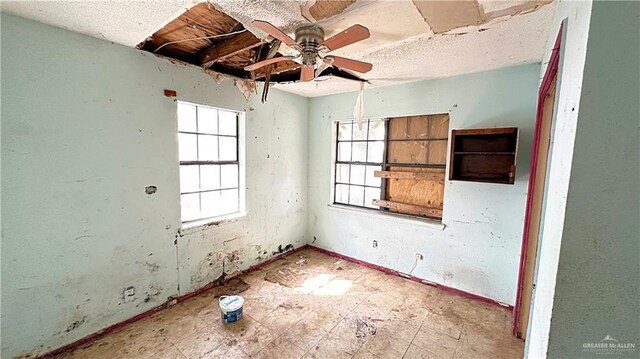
402	46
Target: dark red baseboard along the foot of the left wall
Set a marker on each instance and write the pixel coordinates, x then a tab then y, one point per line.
170	302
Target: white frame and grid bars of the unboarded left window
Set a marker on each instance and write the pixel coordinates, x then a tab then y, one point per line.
239	162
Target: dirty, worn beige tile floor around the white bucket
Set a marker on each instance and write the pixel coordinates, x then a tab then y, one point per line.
309	305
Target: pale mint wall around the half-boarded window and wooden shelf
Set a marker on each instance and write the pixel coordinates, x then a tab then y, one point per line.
478	248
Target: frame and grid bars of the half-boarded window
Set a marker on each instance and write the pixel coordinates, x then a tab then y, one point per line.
385	165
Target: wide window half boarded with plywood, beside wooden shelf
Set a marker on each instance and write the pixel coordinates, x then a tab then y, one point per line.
394	165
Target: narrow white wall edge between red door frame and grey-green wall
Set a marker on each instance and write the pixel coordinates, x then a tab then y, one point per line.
574	17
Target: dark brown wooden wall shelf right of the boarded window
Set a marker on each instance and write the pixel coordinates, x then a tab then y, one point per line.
484	155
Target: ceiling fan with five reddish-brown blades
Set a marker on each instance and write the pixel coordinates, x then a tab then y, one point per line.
311	45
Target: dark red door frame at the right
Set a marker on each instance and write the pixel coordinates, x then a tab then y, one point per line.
549	77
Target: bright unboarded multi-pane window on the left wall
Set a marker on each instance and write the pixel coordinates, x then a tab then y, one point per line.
208	148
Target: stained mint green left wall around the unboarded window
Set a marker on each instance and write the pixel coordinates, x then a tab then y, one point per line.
85	127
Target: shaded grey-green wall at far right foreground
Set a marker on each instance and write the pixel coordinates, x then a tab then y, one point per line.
597	289
